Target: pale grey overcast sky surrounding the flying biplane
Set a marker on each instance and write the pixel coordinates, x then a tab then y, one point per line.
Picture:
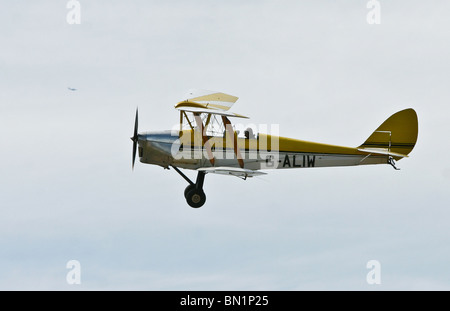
318	69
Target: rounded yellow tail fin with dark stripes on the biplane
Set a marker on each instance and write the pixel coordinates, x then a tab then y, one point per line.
397	135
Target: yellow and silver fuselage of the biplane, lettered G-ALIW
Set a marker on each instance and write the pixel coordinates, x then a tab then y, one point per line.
186	149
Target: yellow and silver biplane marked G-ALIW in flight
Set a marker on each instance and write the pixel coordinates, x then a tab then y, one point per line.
206	141
